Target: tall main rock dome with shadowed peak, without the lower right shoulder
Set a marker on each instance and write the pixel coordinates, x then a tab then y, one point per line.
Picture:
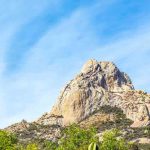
90	89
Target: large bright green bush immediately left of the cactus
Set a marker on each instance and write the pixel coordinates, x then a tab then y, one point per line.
74	138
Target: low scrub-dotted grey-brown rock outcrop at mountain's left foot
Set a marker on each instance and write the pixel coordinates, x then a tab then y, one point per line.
28	132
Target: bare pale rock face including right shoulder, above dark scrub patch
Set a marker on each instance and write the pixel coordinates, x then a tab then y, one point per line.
100	84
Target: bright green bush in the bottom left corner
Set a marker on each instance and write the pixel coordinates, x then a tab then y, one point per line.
8	141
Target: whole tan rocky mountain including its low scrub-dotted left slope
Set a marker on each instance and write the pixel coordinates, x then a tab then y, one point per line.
93	97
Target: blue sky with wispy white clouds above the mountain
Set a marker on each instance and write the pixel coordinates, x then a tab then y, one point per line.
43	44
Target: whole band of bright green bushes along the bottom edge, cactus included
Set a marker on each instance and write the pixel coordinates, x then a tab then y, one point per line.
74	138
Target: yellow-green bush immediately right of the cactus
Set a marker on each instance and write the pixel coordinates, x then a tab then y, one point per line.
112	142
